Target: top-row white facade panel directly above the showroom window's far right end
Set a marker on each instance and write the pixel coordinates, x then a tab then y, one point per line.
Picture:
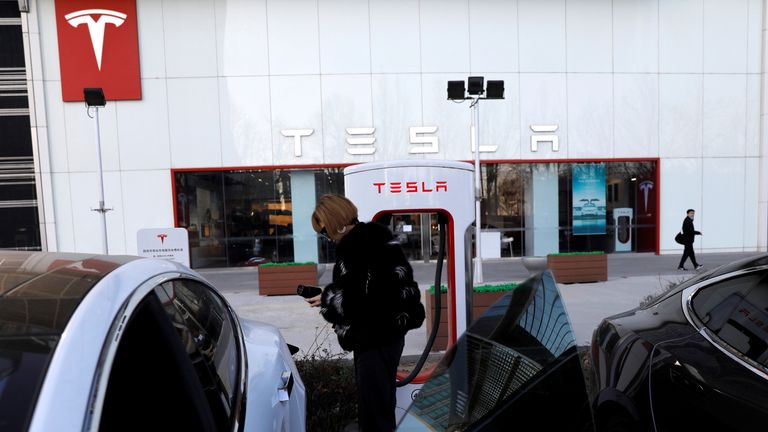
636	36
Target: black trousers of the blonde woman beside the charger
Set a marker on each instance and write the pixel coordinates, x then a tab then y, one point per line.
375	370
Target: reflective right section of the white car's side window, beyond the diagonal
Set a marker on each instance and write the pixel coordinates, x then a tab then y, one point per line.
205	328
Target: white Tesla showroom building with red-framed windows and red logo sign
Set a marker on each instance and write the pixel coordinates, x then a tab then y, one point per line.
231	117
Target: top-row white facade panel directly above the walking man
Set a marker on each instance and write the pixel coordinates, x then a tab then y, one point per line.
681	36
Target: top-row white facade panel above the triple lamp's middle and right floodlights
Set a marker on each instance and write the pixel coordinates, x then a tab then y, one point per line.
493	36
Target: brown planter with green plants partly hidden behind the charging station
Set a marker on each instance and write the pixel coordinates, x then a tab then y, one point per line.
483	297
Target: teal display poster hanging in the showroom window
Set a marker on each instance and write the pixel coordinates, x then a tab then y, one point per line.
588	199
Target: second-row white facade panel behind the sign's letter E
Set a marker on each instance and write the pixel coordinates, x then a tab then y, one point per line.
347	105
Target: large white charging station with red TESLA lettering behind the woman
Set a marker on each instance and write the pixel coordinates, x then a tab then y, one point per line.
424	186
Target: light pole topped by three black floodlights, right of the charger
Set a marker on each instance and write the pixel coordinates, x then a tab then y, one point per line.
475	89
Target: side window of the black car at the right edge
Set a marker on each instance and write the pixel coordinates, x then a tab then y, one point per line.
736	310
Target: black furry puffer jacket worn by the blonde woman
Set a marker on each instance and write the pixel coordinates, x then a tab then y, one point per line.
373	299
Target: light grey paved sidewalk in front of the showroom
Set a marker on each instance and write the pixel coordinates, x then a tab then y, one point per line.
631	278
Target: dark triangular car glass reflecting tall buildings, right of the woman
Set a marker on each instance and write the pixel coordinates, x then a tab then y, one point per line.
514	361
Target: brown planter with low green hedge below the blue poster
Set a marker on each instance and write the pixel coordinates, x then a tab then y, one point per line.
578	266
